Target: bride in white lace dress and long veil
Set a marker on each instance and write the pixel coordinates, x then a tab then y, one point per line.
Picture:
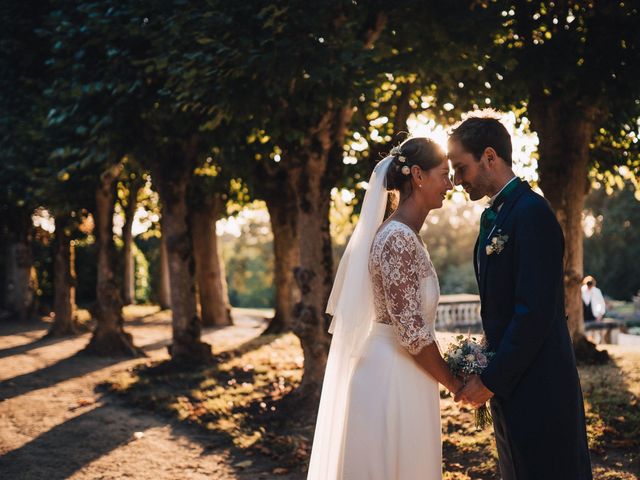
379	415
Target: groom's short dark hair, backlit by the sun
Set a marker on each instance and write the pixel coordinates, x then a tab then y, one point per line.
481	131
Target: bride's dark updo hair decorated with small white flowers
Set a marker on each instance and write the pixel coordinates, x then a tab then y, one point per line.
419	151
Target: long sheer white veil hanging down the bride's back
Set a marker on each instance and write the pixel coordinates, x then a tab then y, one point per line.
352	307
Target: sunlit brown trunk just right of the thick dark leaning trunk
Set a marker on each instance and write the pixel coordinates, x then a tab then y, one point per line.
215	308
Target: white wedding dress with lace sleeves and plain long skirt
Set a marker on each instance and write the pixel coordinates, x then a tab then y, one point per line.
392	427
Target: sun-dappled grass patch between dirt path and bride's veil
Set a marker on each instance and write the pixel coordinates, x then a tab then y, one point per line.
240	401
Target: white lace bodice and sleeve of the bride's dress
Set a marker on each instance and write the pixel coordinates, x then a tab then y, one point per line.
405	285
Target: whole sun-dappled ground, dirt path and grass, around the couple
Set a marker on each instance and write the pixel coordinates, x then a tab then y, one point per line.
233	419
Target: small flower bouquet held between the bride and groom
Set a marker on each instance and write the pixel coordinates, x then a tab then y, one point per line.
467	357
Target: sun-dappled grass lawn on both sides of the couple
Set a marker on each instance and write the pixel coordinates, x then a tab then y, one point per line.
241	399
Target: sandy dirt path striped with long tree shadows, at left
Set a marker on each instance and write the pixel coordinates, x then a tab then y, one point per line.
54	424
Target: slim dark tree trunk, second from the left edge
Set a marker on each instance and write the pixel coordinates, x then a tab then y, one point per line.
64	281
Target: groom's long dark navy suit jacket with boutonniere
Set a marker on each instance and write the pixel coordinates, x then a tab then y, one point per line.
538	408
